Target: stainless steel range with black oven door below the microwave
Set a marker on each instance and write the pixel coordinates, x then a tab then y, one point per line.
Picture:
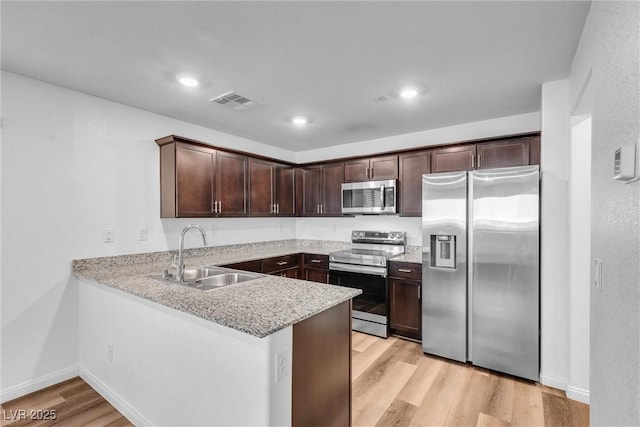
364	267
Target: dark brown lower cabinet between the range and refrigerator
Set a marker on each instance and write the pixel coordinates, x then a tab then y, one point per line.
405	299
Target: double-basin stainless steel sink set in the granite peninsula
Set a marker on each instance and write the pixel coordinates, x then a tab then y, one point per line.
210	278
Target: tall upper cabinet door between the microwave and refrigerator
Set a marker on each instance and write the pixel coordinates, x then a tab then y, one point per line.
412	167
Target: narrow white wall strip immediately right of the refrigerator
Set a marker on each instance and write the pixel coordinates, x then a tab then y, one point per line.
554	236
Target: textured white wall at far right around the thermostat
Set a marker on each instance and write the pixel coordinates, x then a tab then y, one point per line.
609	56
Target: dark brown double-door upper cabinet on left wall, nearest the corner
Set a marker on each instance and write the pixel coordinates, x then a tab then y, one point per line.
272	188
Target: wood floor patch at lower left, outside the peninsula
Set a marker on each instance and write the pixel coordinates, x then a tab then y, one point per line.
73	402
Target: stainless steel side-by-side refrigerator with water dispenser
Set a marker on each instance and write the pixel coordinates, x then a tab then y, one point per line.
481	292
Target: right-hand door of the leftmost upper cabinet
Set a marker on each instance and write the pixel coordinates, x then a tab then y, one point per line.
232	179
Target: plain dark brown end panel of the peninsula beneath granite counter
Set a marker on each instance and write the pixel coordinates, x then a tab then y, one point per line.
321	369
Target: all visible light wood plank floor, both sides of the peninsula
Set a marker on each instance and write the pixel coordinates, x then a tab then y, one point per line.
394	384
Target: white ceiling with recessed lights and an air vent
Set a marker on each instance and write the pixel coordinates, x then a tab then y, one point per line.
330	60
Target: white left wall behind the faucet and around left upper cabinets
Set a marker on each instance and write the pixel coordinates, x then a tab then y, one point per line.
73	165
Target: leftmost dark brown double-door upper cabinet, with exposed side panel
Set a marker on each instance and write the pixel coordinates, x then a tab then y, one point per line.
198	181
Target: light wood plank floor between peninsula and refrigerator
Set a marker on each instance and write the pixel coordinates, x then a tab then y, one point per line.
395	384
